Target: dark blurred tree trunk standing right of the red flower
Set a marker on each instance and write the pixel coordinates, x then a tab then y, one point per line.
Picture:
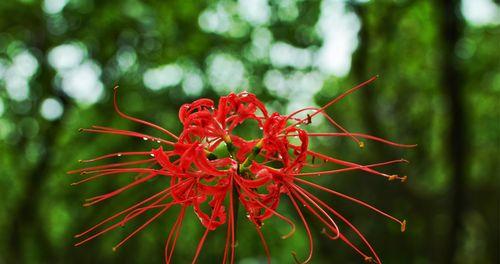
451	27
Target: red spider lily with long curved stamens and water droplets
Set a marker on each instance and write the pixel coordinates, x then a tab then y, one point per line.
254	173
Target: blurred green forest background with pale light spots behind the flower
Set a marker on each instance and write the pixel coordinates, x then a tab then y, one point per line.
439	87
